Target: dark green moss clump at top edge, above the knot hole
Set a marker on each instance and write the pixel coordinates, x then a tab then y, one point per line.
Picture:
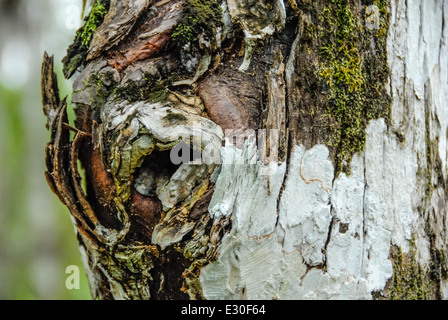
198	17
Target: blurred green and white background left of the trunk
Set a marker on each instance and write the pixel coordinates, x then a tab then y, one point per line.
37	239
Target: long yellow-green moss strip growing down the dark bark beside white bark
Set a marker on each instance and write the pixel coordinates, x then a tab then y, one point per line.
355	75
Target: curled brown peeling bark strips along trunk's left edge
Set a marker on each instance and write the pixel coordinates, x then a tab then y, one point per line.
62	167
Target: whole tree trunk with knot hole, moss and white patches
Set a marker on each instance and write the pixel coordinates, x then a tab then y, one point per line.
256	149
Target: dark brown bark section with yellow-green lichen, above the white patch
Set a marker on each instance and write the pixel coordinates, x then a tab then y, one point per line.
342	84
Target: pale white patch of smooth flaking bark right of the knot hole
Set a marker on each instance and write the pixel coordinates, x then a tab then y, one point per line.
279	237
